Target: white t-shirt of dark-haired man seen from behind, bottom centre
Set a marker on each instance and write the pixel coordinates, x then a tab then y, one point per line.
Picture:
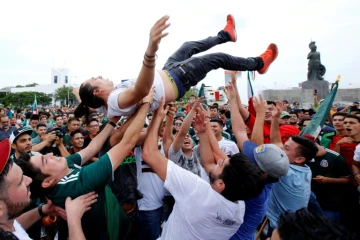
199	211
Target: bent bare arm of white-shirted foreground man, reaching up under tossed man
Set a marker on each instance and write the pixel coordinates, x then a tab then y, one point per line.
151	155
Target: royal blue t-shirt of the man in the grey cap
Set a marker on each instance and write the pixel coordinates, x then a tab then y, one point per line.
255	208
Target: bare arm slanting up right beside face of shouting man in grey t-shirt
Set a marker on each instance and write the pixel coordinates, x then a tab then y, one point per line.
179	139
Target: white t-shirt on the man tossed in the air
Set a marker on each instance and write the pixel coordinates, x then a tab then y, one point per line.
113	107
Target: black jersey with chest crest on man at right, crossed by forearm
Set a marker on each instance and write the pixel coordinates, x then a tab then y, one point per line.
330	165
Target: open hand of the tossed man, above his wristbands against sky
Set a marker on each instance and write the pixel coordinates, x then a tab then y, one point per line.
156	34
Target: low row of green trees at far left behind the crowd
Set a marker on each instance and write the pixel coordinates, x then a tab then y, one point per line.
23	99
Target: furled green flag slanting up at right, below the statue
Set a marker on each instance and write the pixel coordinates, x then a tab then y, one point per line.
315	125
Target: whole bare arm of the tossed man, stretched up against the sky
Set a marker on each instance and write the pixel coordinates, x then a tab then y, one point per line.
145	79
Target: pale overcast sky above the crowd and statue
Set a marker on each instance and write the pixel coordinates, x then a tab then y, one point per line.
109	38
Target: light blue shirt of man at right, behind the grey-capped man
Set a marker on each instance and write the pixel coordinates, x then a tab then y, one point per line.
291	193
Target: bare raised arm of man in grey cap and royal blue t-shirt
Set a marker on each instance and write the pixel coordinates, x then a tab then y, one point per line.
237	122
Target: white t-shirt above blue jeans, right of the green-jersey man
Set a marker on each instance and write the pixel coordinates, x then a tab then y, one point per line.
149	184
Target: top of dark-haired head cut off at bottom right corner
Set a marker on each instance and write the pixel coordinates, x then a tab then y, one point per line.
304	225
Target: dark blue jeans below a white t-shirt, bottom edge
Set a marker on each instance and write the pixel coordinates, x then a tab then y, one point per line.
149	223
